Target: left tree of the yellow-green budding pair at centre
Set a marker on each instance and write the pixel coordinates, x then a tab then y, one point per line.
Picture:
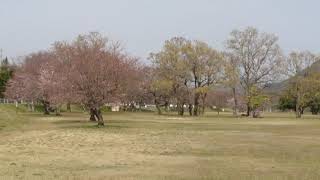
170	66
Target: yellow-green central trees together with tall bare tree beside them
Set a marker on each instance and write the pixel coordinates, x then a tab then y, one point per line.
185	71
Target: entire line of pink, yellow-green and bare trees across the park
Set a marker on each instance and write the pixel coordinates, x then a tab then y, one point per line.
93	70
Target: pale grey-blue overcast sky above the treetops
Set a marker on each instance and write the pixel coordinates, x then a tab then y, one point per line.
143	25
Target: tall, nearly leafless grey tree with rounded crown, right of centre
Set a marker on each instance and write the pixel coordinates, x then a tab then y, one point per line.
259	58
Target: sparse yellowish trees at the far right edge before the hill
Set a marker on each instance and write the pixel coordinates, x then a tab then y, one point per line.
303	89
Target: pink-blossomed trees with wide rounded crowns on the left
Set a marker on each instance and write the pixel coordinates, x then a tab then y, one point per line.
91	71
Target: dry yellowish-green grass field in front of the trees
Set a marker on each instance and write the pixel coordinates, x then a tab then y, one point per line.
148	146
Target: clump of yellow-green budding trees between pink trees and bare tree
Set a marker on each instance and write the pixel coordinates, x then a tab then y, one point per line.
184	71
